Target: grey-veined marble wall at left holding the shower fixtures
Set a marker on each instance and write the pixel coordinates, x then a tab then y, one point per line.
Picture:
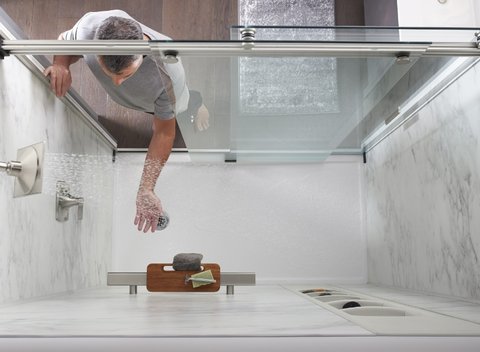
38	255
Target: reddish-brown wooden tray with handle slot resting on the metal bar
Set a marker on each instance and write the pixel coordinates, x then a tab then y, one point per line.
162	278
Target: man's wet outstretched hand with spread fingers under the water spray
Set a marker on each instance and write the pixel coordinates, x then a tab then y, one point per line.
149	210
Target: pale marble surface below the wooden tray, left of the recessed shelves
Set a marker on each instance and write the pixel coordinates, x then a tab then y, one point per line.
253	311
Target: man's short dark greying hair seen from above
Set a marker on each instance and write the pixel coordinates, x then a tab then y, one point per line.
118	28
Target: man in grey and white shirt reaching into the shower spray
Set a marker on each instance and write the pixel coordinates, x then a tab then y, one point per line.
140	83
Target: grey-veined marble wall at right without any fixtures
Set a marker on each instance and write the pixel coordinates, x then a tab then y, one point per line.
422	194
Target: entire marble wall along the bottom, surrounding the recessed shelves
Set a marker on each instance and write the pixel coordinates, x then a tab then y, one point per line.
262	318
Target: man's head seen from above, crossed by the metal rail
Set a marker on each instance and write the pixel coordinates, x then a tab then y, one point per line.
119	67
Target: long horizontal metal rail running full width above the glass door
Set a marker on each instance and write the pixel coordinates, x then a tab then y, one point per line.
236	48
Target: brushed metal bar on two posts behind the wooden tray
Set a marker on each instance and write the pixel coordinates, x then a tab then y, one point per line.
134	279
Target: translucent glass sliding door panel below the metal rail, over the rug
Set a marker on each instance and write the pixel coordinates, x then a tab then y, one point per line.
285	108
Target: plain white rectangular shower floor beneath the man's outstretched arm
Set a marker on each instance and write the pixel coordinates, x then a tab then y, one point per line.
286	222
